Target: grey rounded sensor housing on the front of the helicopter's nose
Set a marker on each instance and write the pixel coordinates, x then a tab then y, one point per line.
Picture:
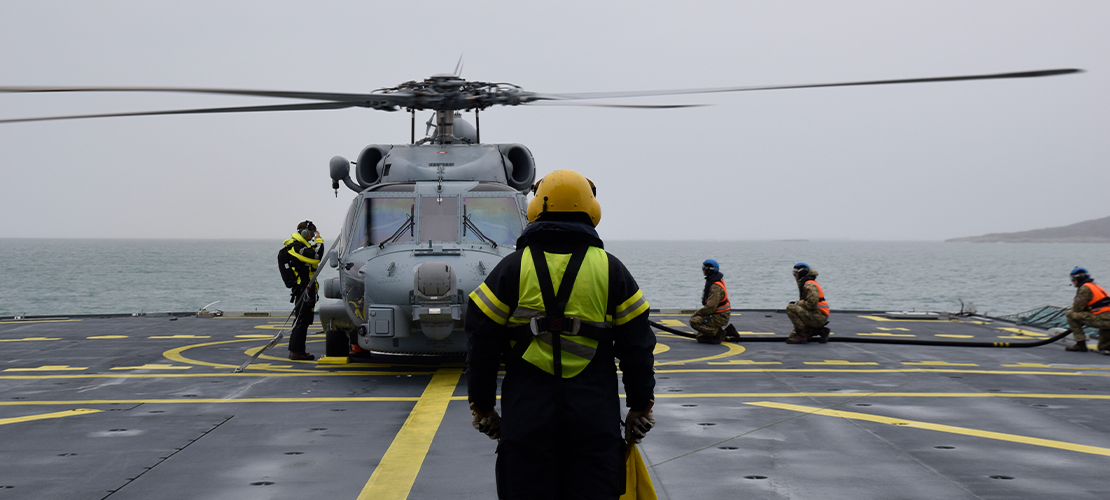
435	289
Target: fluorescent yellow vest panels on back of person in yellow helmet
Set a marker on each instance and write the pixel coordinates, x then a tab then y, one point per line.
589	301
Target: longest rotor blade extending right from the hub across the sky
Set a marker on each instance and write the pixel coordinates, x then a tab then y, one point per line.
563	97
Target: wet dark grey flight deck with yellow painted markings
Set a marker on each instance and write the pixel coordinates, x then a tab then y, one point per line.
140	408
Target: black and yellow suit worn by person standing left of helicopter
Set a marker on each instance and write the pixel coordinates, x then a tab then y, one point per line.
306	261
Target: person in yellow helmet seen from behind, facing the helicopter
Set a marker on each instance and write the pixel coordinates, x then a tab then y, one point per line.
560	312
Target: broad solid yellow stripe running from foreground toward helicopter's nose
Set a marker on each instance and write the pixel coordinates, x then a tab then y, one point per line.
396	474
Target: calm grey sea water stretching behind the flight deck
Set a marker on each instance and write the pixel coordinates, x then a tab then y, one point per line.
45	277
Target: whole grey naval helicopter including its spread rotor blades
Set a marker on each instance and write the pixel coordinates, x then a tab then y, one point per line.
432	218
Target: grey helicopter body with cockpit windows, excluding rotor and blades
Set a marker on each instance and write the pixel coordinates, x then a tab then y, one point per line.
412	252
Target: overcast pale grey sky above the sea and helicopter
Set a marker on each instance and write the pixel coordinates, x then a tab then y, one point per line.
897	163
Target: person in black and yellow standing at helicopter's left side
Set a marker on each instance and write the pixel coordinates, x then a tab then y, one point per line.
299	261
